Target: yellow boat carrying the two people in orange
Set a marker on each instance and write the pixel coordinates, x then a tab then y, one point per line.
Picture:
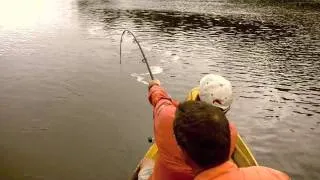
242	155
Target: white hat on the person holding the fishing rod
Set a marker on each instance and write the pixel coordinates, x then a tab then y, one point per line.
216	90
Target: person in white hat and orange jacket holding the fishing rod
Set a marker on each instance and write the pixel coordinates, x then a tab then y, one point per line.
170	164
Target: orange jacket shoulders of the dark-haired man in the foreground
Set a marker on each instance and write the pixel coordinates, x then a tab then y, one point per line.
229	171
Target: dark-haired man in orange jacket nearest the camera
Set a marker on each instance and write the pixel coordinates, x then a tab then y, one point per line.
202	131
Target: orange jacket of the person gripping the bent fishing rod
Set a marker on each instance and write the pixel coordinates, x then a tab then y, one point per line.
170	164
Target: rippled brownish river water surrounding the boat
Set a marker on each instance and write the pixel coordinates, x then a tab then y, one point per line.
68	110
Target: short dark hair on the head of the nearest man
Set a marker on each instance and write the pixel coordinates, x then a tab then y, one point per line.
202	131
